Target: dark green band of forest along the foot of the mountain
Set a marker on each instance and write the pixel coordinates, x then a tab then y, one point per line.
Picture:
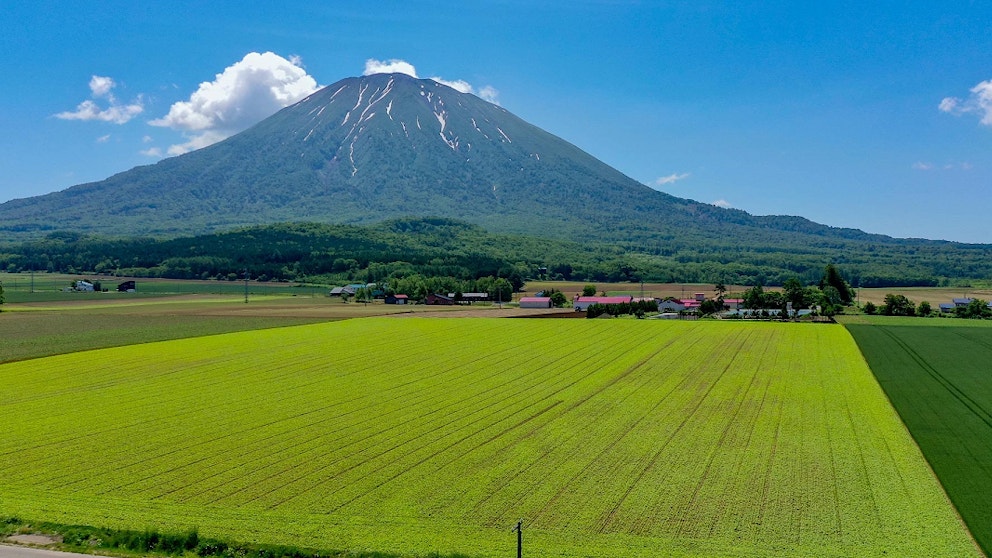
445	248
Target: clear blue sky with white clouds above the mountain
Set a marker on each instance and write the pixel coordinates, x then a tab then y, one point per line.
872	115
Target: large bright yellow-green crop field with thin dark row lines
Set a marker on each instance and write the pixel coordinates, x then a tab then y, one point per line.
412	435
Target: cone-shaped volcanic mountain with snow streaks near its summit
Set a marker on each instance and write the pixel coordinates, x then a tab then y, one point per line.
387	146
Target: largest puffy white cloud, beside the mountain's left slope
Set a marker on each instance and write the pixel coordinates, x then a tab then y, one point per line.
243	94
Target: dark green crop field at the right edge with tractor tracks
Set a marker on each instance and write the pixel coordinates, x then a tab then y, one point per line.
938	375
